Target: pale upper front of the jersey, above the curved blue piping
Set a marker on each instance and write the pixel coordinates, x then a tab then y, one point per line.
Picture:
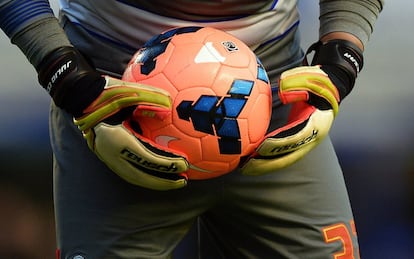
254	22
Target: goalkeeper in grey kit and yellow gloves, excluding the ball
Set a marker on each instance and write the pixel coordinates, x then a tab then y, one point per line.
289	200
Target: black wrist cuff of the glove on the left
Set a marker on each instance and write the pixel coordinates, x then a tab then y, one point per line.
69	79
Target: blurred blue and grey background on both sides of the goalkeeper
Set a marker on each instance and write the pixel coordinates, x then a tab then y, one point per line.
374	136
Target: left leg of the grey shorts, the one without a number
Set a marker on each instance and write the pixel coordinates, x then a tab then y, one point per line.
98	215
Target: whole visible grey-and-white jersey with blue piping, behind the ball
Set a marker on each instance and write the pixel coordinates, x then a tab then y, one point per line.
268	27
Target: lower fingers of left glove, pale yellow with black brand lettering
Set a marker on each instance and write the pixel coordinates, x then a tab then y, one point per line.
136	163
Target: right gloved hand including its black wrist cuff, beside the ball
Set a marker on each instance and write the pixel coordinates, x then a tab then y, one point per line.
314	92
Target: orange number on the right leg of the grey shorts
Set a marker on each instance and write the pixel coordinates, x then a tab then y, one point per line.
340	232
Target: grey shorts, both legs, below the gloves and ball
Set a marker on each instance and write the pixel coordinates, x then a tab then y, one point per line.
302	211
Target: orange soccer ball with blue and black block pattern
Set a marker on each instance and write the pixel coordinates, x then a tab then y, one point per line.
221	97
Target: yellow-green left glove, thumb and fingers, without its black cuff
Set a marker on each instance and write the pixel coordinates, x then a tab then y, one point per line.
133	159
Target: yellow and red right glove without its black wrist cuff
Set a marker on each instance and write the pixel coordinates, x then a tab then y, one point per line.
307	125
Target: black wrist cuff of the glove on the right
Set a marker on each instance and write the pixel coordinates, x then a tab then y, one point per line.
340	59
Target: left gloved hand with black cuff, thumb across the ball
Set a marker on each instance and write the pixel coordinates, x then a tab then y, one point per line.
101	106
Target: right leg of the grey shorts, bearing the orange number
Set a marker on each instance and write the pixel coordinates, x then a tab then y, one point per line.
300	212
